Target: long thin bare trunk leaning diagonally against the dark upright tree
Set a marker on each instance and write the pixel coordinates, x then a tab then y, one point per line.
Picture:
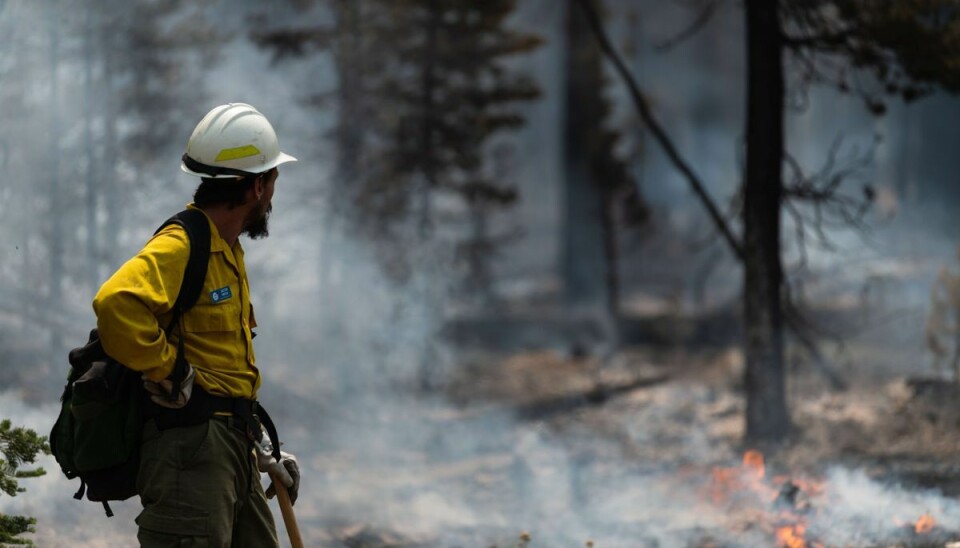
656	129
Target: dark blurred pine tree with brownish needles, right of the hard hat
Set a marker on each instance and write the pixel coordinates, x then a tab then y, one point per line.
422	91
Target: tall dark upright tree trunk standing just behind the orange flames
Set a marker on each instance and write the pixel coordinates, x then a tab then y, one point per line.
766	417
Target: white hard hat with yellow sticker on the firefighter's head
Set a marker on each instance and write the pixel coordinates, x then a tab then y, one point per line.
233	140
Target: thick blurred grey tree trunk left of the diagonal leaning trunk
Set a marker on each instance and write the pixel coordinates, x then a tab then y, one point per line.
582	238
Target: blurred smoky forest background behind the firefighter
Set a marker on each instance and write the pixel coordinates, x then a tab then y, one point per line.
542	266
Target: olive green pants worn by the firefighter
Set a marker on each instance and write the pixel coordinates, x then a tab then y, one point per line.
199	486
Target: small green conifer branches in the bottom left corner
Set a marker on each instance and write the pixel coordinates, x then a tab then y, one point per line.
18	446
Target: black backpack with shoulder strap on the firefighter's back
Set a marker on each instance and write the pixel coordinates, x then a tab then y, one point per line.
97	435
